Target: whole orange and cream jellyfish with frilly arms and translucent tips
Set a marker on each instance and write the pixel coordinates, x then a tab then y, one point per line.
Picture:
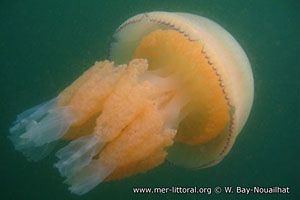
178	87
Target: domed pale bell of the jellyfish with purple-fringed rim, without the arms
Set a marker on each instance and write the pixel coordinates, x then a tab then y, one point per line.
229	69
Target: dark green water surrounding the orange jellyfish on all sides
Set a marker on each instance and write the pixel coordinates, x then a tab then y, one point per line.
45	45
